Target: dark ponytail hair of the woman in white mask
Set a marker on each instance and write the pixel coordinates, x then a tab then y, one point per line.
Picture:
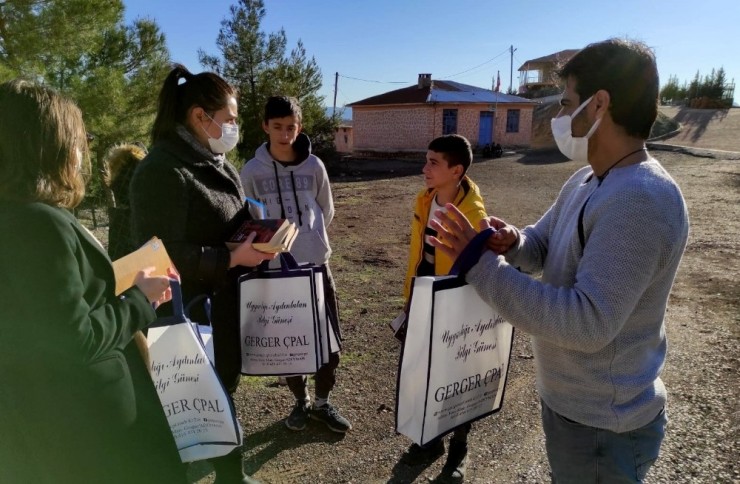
183	90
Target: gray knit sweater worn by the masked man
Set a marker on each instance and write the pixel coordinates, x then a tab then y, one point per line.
596	316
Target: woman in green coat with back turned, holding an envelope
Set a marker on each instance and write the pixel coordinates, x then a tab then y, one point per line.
76	405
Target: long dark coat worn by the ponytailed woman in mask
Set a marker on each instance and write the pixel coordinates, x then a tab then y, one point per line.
190	201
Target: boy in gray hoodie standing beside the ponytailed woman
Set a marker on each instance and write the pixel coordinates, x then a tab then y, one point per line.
293	184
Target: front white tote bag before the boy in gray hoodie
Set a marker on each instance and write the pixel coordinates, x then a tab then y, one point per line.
280	333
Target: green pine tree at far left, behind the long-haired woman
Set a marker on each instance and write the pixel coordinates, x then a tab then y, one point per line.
83	49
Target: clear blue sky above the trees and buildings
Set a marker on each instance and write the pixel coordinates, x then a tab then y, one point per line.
381	45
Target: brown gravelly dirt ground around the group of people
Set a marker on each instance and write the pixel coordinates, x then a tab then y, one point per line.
370	239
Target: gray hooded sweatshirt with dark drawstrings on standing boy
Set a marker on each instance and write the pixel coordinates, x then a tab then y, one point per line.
278	187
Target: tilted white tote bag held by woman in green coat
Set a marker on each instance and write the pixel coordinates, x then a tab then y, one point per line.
198	408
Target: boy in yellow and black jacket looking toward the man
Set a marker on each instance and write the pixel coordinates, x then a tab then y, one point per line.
447	161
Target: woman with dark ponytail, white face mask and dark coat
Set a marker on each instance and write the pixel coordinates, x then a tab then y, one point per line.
187	194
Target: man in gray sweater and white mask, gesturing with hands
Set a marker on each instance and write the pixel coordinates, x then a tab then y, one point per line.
608	250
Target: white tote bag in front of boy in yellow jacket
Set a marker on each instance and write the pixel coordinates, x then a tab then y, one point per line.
455	359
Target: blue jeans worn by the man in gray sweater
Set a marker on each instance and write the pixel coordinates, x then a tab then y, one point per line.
582	454
